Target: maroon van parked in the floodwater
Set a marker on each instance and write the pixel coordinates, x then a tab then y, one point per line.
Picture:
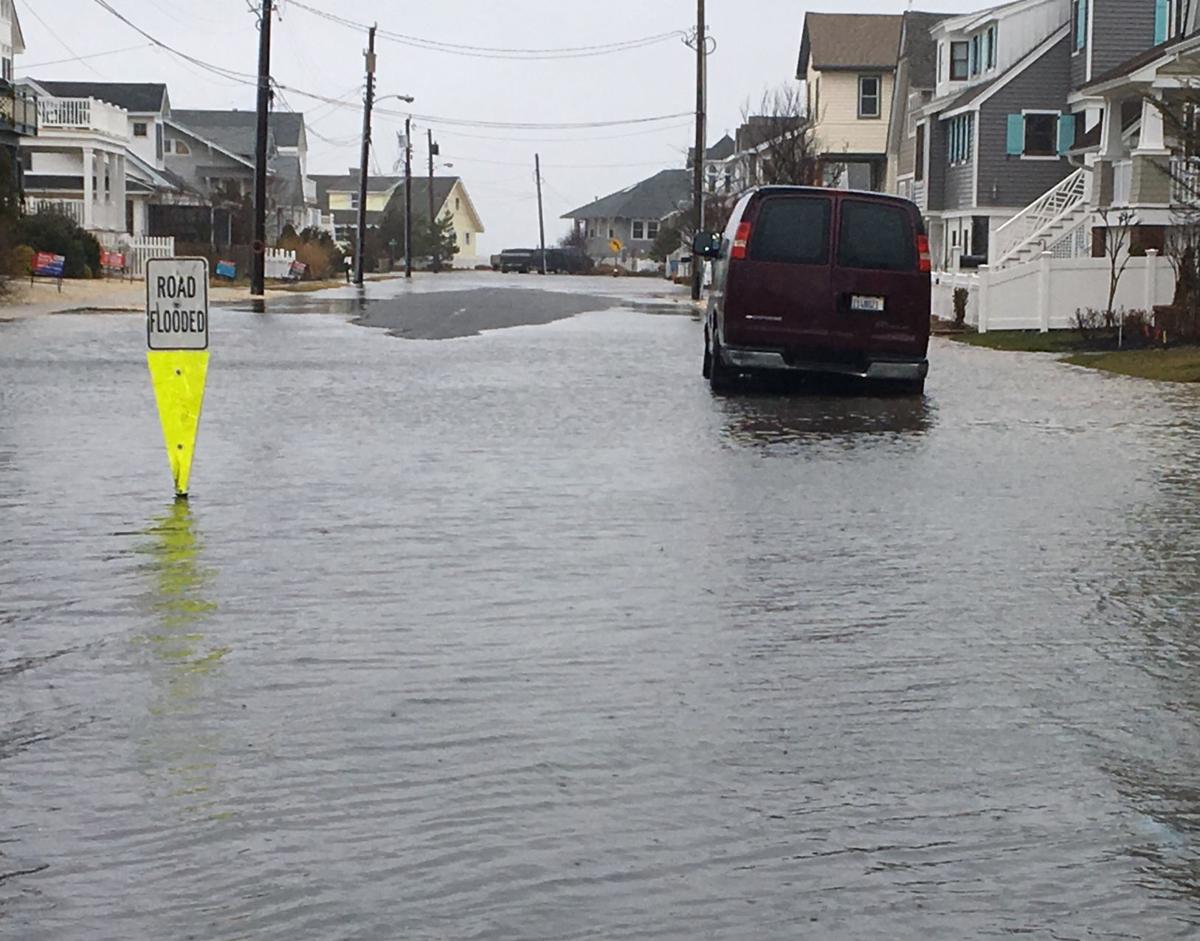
815	280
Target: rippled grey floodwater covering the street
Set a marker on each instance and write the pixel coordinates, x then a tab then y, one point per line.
526	636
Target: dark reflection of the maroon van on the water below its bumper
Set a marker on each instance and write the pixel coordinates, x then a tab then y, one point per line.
775	419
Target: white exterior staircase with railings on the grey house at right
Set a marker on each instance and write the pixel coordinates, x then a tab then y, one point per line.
1057	221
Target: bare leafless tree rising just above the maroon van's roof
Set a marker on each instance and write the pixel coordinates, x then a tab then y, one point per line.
779	141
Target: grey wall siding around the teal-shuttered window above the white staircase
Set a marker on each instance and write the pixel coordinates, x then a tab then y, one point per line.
1011	182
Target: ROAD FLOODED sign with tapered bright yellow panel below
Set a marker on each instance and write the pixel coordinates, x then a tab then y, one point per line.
178	355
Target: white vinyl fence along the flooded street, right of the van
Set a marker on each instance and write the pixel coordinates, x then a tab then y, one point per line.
1045	295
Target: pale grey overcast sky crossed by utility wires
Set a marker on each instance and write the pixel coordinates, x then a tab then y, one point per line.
758	45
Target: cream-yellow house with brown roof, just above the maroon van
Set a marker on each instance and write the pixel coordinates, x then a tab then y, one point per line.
848	64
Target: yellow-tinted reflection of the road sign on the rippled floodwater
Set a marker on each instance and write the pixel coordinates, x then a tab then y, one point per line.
179	744
